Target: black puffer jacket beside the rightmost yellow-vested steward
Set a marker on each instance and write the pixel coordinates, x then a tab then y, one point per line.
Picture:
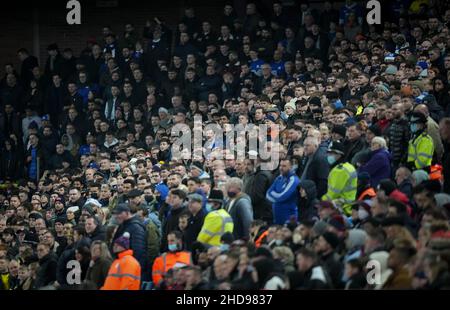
398	136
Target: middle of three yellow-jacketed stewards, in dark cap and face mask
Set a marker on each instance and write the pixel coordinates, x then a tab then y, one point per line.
343	179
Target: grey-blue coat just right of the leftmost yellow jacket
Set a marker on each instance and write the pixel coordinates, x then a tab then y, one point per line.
241	211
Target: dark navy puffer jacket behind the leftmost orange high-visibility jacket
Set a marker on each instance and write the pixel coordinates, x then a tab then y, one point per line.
138	241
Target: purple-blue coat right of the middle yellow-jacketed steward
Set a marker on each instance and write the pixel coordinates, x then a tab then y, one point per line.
378	166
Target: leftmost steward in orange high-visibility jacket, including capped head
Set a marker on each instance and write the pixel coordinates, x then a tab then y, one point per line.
125	271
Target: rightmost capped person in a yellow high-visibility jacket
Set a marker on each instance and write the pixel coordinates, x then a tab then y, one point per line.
421	146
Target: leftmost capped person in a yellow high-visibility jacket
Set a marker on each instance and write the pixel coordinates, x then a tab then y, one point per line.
217	222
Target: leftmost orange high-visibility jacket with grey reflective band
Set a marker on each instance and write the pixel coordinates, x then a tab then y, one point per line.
124	273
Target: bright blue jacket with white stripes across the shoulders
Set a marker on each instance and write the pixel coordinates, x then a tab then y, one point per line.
283	196
